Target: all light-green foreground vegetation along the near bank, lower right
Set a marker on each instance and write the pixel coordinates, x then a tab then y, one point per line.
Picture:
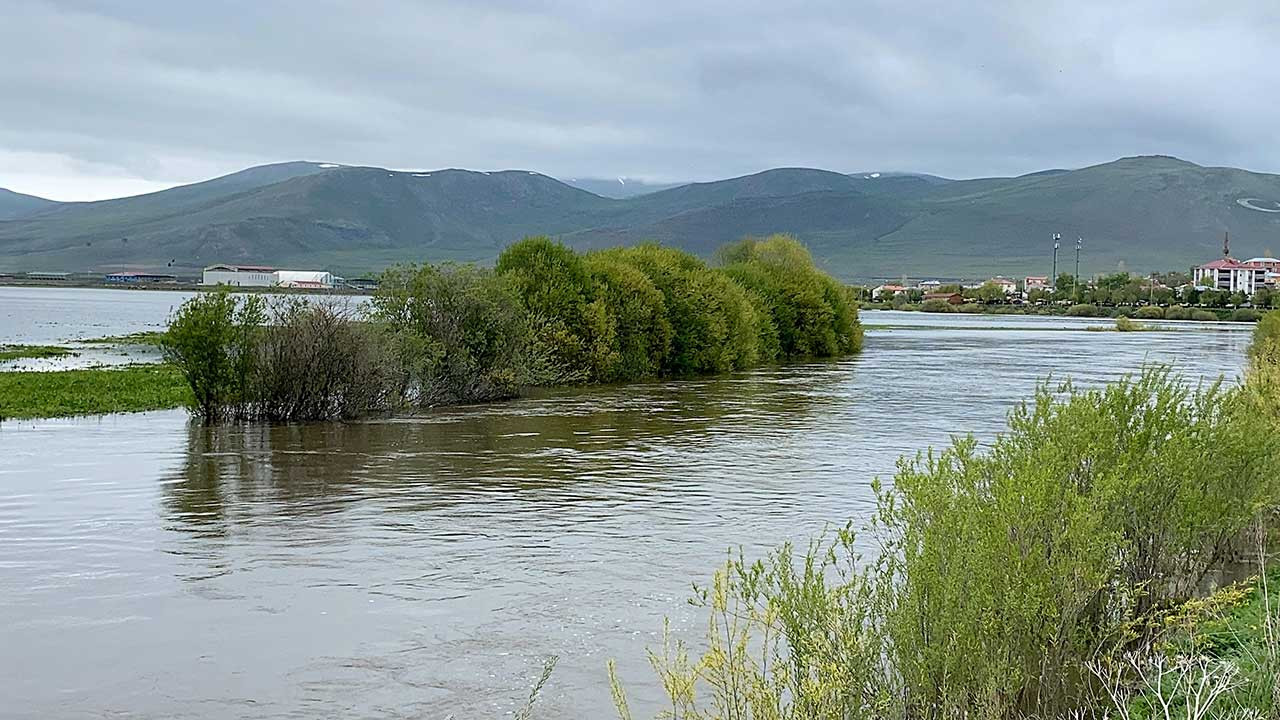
1063	572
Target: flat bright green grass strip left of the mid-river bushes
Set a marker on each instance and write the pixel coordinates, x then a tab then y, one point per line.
131	389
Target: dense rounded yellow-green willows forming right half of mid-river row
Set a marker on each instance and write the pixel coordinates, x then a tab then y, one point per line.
633	313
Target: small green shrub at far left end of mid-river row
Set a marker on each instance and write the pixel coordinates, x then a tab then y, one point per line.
212	340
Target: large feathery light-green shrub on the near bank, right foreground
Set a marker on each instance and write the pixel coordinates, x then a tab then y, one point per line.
1098	513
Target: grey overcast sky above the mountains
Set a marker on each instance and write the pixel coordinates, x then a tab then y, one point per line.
104	99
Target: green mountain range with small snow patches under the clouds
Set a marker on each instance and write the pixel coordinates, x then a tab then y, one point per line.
1142	215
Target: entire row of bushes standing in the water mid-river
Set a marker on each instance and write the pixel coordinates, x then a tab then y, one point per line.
545	316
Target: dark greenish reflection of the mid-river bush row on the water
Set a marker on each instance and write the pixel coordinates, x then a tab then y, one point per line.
564	446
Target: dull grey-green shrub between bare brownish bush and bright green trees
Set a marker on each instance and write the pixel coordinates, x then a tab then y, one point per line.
458	334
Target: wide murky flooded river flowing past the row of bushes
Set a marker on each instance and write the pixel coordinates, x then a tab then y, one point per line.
424	568
